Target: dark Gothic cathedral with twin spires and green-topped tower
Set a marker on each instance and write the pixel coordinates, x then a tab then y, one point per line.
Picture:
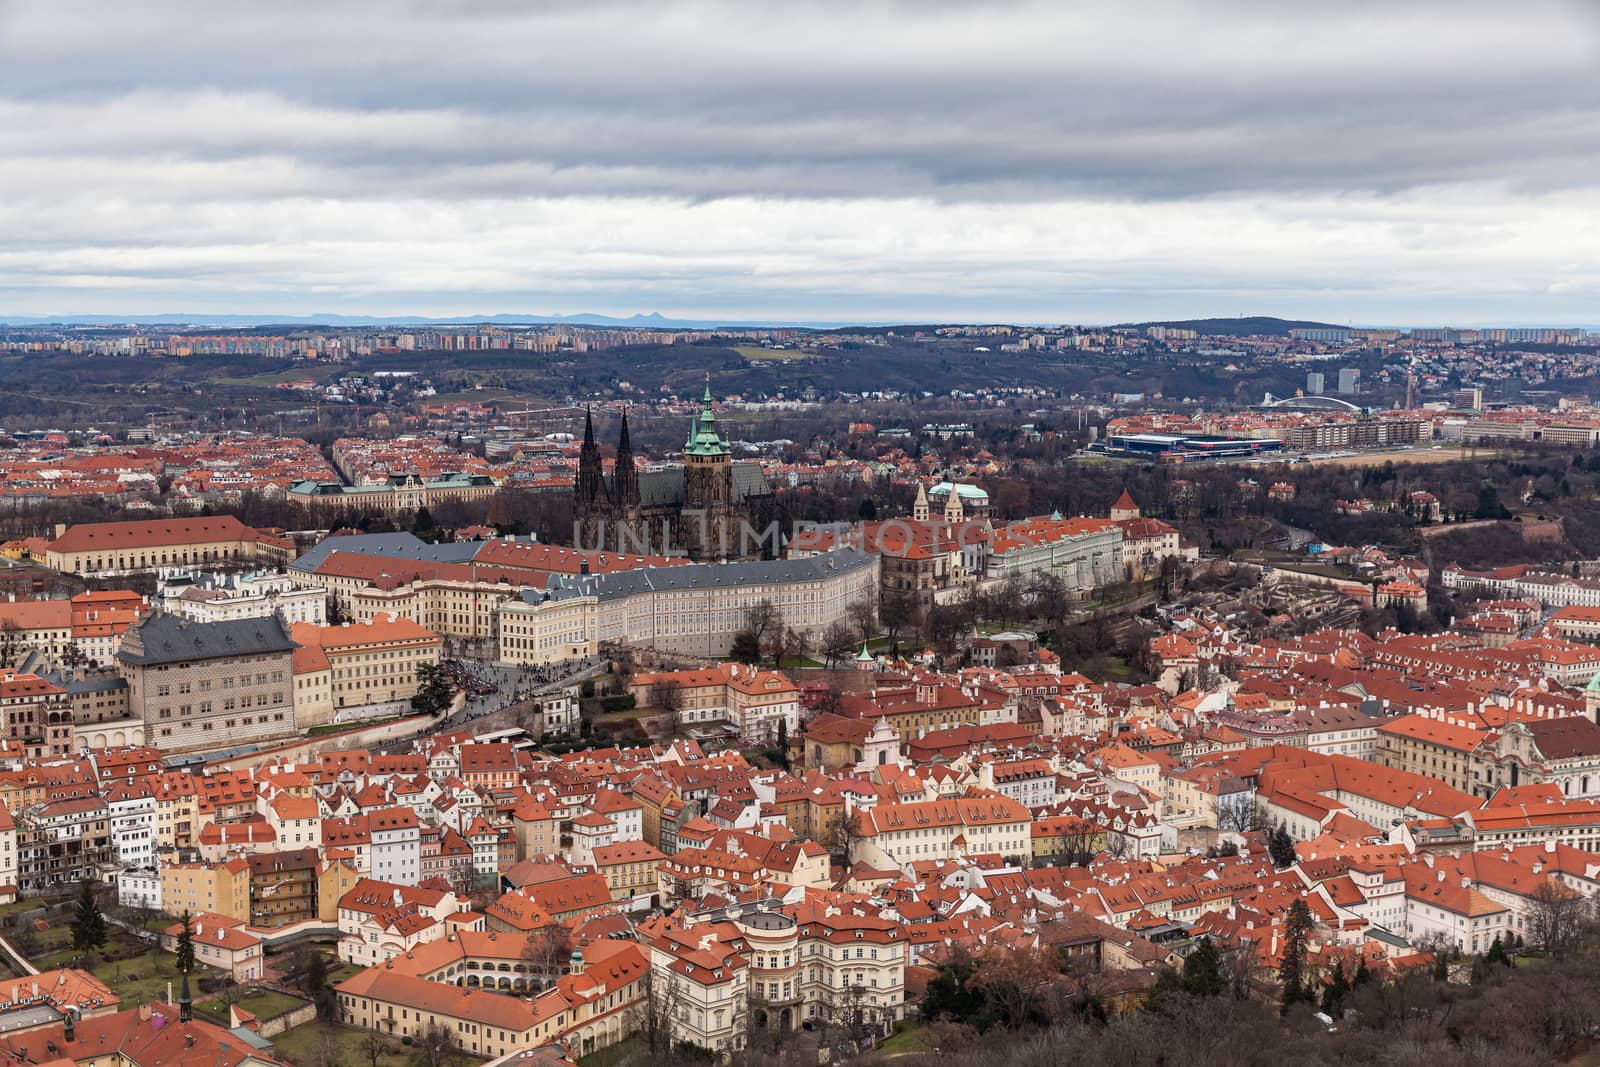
710	508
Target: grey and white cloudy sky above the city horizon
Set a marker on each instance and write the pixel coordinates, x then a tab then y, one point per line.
926	161
